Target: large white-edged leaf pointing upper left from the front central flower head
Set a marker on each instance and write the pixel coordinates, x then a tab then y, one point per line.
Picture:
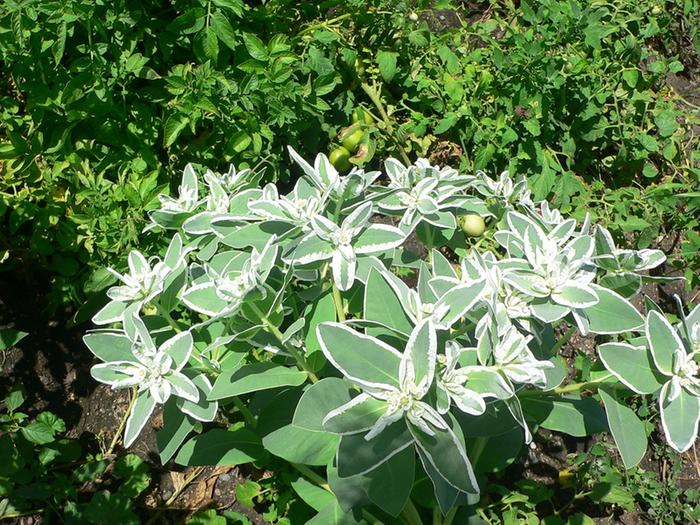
361	358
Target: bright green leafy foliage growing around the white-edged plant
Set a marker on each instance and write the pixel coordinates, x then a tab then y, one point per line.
102	104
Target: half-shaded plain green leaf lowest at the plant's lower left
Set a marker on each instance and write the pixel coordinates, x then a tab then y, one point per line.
221	447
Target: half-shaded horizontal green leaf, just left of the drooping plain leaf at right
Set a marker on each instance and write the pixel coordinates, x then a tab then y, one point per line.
576	417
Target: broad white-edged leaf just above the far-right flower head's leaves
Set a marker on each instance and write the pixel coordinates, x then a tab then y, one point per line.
613	314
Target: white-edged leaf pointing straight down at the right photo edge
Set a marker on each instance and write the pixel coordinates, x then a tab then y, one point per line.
679	418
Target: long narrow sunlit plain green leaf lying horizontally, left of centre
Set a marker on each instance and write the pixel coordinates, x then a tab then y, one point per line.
254	377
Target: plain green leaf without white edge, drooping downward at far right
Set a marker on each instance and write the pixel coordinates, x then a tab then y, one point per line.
626	428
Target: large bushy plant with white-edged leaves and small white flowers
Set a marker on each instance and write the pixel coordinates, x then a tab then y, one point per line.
302	326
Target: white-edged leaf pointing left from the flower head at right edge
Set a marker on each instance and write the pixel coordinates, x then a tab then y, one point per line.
633	366
